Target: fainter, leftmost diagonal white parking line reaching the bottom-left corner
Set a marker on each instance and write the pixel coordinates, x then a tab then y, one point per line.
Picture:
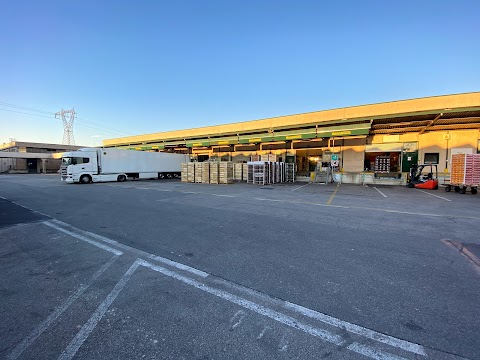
40	328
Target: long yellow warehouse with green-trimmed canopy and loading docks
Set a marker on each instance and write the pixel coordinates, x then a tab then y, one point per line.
375	143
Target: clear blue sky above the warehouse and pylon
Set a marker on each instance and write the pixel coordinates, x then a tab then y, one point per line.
135	67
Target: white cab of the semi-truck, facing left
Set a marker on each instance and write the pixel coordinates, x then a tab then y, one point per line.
79	166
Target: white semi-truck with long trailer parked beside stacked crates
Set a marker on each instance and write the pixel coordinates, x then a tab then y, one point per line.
89	165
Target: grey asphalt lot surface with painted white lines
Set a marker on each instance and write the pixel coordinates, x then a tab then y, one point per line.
171	270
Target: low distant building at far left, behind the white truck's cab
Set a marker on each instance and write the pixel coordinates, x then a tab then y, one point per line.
27	157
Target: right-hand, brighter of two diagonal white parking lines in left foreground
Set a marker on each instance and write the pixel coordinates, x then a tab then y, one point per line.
86	330
